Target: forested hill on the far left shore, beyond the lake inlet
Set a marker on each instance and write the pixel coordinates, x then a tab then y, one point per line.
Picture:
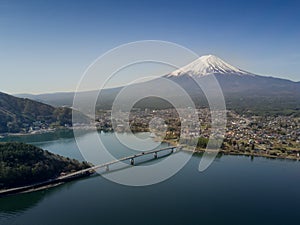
20	115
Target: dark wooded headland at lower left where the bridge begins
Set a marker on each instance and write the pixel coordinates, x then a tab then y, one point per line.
22	164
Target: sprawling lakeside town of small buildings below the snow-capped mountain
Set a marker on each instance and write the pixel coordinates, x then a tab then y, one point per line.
270	136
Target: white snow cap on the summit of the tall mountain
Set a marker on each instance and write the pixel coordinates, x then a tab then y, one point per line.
205	65
